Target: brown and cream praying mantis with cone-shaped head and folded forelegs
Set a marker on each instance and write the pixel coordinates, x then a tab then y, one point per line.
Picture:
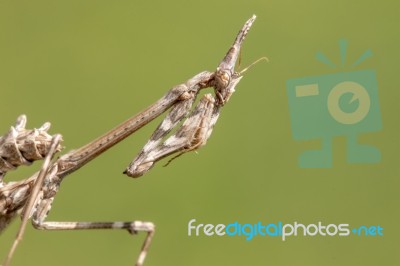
33	196
